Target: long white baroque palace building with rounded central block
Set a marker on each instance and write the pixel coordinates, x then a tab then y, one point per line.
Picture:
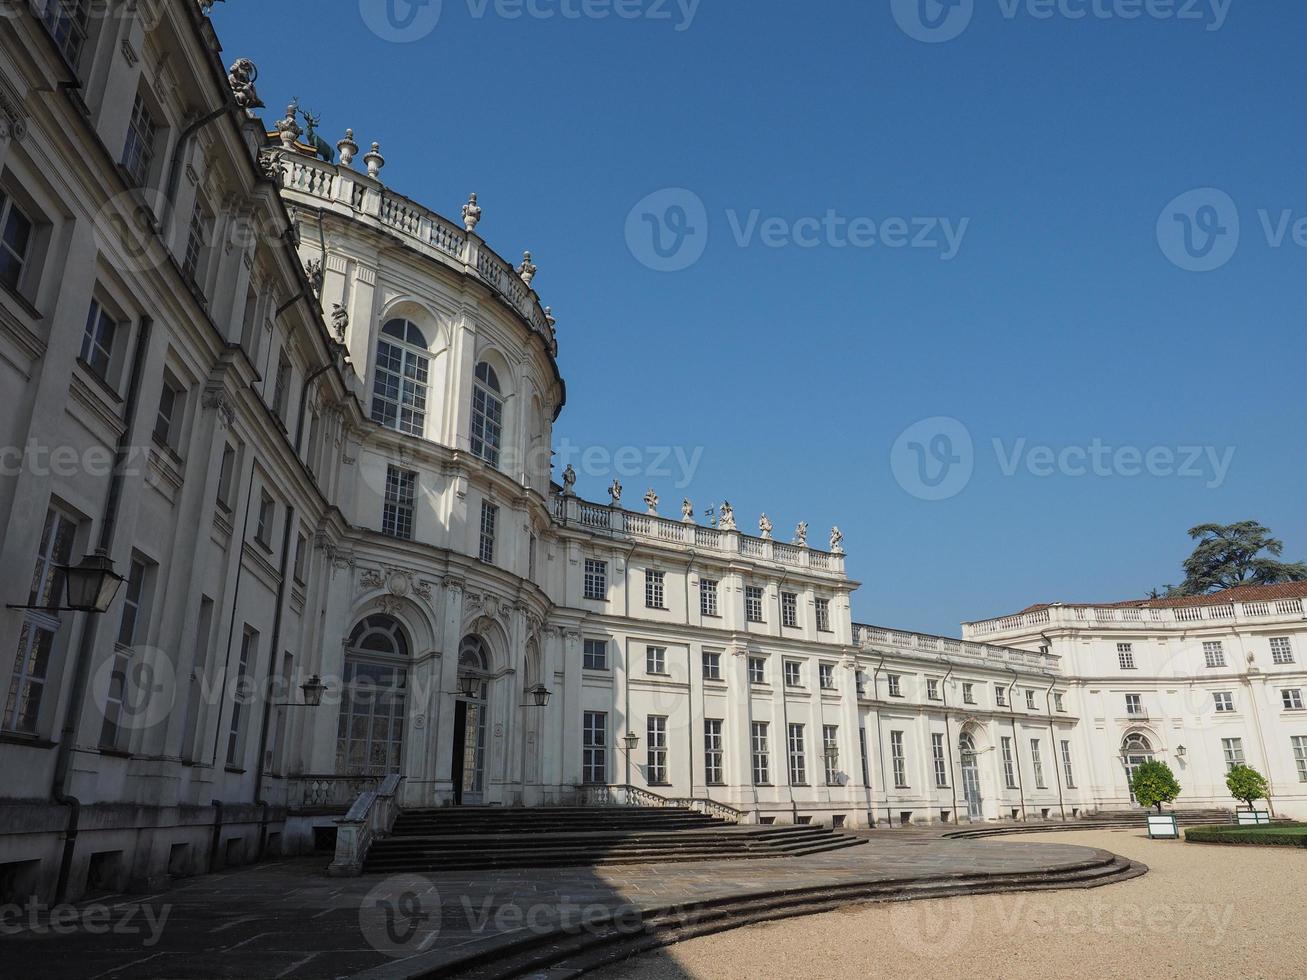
309	421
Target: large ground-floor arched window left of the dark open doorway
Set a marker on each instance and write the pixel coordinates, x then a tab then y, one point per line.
371	735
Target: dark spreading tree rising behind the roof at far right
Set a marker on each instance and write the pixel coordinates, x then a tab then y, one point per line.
1229	556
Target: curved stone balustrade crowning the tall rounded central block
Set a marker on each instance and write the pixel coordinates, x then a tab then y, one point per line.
363	198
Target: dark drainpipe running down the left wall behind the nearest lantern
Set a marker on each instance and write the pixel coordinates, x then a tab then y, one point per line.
87	645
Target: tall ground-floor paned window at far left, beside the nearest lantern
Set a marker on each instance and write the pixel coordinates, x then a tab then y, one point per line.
40	628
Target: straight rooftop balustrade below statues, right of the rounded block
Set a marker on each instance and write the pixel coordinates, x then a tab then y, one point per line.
615	522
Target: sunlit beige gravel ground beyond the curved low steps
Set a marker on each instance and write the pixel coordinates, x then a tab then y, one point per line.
1202	911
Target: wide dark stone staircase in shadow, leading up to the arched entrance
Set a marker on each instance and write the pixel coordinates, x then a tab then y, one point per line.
493	838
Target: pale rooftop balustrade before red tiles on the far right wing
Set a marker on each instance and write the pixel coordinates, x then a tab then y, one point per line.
1139	617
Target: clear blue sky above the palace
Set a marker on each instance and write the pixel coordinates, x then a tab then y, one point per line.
790	357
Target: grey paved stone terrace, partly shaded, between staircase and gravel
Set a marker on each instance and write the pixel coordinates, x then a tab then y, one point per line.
291	921
